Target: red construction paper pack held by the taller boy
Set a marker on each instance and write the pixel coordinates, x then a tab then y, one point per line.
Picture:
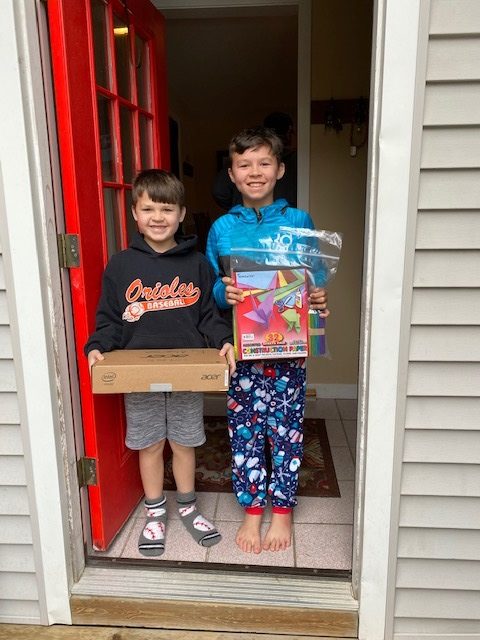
272	320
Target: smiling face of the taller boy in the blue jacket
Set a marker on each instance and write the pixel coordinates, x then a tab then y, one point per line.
255	172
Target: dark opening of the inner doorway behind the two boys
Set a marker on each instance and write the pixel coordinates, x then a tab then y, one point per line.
224	76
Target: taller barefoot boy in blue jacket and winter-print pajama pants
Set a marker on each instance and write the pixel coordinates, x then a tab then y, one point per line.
266	399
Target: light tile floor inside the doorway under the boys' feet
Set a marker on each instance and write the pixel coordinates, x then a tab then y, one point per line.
322	537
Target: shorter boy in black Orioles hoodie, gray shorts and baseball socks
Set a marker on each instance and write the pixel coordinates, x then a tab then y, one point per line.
158	294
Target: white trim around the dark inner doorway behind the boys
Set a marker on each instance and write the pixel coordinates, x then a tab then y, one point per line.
303	72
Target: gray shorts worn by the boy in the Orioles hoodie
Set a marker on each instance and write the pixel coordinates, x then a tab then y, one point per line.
152	417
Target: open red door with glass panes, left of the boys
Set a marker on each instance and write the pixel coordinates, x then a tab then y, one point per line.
108	60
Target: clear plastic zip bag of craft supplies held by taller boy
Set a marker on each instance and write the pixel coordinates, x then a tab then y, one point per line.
300	251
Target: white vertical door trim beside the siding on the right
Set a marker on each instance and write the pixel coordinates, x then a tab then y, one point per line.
386	286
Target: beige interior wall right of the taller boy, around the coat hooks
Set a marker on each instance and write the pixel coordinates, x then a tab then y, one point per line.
341	47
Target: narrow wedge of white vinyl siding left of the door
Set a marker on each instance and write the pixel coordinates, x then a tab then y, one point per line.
19	598
